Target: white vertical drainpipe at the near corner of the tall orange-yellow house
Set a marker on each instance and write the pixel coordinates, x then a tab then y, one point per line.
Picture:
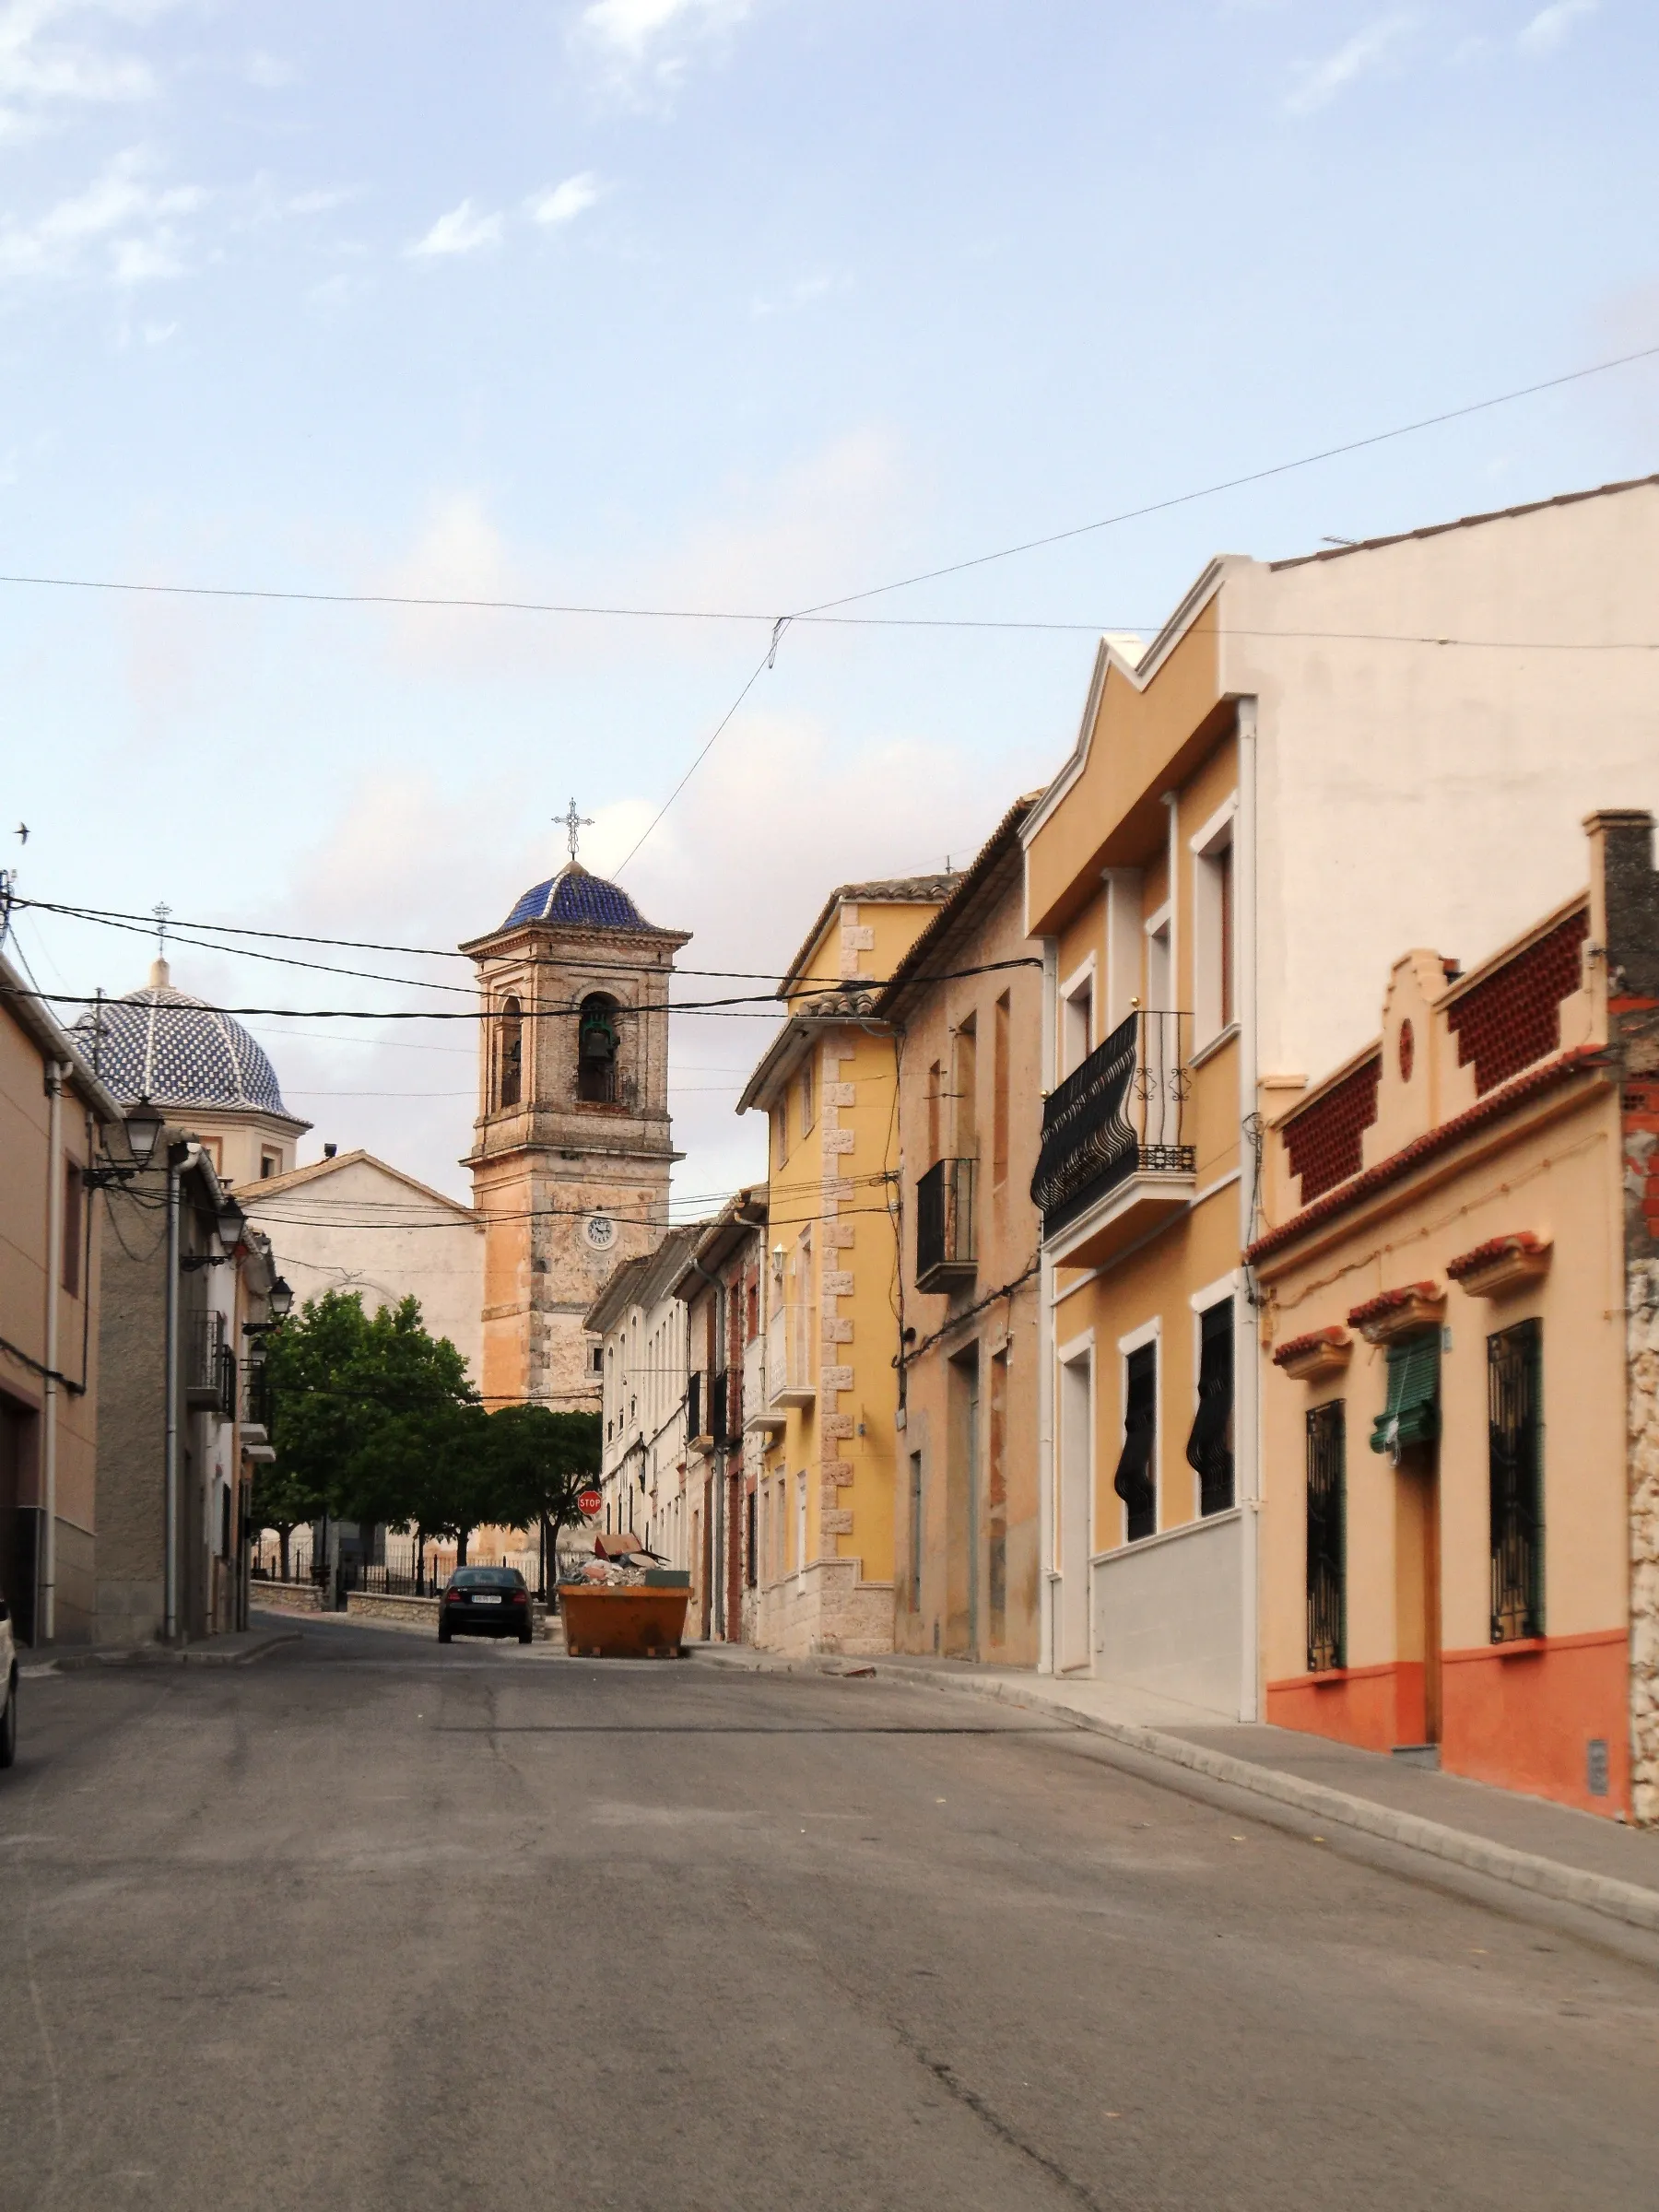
1246	1364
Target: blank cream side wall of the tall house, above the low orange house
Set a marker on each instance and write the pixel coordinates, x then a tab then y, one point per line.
1432	795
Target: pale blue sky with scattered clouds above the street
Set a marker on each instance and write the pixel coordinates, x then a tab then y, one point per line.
722	306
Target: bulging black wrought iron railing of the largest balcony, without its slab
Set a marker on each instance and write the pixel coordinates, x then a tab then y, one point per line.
1116	1116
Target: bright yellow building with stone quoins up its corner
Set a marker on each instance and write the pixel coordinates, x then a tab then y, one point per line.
828	1085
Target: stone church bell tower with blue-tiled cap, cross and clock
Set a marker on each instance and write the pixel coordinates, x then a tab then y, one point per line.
572	1145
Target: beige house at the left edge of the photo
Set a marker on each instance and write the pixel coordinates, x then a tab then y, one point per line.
54	1120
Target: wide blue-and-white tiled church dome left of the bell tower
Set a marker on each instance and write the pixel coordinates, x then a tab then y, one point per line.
169	1047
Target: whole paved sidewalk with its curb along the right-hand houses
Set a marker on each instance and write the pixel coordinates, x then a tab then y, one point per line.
1552	1850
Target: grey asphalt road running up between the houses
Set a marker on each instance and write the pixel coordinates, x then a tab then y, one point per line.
388	1928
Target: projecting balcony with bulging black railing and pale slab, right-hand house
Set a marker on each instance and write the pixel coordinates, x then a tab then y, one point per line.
1114	1162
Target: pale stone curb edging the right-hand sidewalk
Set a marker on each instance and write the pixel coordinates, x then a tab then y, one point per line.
1525	1870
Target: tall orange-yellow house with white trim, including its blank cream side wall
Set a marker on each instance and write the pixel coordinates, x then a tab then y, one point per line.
1313	764
